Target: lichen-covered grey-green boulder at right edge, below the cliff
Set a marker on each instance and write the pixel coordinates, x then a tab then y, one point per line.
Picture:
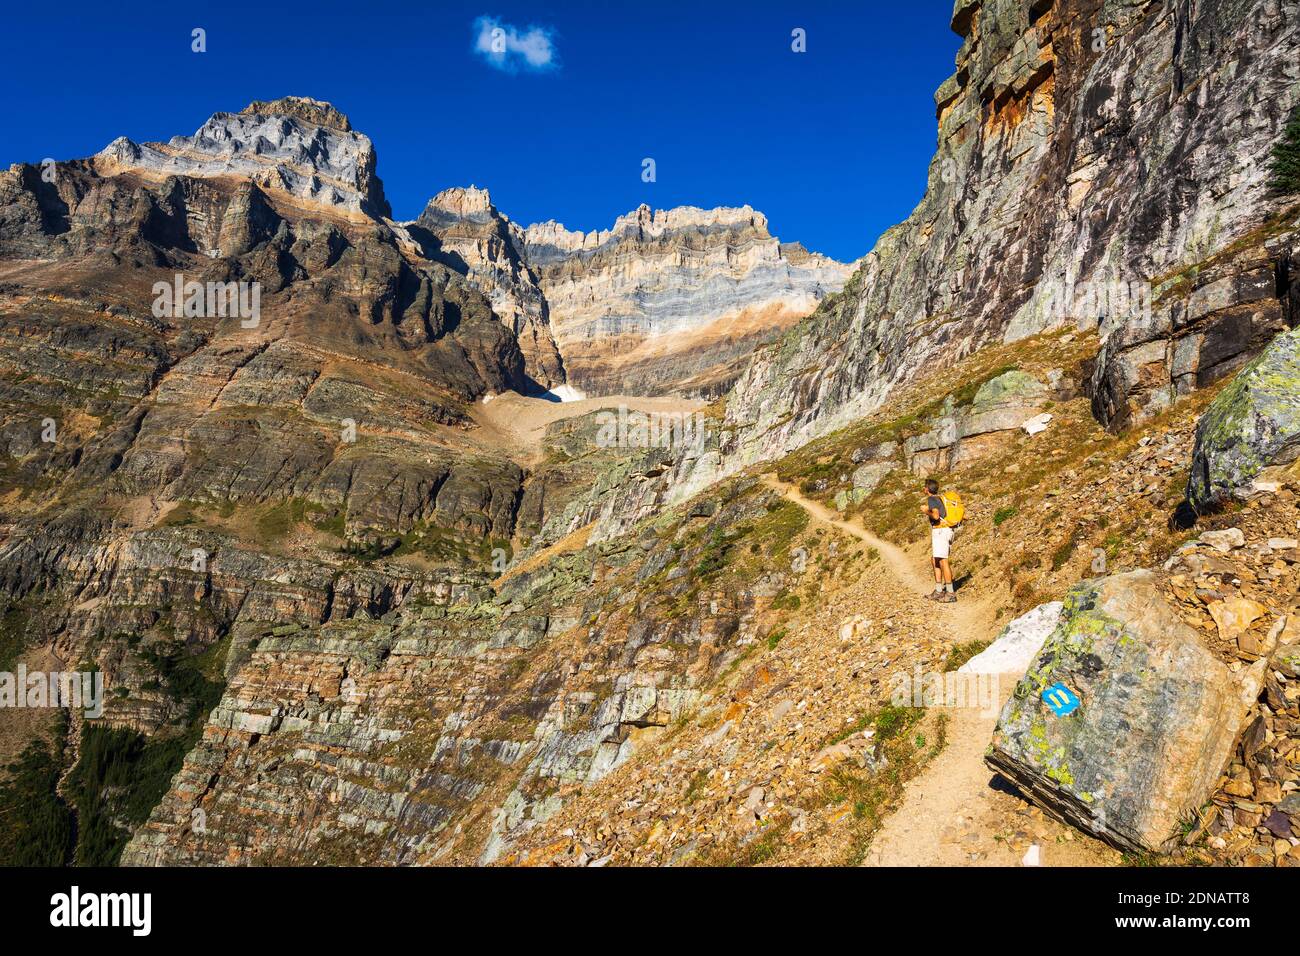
1254	425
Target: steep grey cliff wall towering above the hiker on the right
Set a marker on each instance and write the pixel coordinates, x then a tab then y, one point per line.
1100	167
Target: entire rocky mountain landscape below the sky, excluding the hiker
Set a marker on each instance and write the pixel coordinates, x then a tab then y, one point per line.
467	543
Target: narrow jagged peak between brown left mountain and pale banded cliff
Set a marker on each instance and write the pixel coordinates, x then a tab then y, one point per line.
478	241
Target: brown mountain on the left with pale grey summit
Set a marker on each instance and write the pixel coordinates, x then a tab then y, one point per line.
237	397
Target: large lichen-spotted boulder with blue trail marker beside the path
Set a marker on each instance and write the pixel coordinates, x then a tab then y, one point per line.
1142	717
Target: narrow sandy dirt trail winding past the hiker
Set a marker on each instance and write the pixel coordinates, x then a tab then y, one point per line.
951	815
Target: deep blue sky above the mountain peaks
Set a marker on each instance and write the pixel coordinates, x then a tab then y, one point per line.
833	144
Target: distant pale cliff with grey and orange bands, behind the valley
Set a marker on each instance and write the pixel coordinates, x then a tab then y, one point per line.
673	301
